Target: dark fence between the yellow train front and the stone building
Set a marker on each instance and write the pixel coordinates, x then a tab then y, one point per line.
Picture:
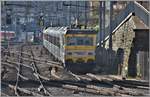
107	61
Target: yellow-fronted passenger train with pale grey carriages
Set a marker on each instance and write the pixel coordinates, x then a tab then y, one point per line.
74	48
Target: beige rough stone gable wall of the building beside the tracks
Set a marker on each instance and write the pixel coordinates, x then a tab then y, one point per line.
123	38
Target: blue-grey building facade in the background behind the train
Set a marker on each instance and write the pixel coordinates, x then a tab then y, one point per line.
33	16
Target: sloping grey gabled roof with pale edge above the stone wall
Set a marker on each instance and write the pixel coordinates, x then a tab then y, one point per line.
133	8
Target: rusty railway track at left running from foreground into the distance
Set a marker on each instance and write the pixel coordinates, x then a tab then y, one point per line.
20	77
